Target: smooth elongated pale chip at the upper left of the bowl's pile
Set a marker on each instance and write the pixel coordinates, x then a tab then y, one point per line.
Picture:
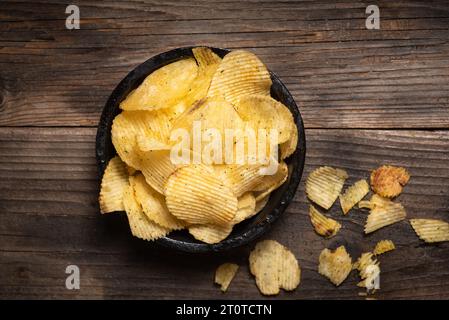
164	87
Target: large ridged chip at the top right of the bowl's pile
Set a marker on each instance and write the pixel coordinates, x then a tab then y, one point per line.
239	74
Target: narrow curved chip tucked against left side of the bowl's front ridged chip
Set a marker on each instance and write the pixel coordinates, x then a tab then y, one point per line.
153	204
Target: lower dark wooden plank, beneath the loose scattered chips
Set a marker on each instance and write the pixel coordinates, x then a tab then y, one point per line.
49	219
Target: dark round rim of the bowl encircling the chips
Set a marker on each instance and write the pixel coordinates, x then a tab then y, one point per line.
296	160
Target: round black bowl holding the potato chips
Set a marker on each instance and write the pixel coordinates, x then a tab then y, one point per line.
245	231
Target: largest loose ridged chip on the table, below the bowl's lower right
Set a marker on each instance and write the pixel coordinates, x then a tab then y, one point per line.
274	267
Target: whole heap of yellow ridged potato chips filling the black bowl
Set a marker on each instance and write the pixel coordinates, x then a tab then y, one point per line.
208	199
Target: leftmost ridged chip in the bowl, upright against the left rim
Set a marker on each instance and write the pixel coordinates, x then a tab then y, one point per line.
113	183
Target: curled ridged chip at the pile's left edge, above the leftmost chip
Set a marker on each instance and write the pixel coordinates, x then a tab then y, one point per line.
129	126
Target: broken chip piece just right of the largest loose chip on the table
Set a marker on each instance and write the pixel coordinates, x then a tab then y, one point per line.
336	265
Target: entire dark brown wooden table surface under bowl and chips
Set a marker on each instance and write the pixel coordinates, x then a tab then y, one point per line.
368	97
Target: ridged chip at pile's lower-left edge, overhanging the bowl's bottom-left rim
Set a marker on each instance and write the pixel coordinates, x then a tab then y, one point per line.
141	226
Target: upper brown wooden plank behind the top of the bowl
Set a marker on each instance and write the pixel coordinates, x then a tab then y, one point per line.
341	75
